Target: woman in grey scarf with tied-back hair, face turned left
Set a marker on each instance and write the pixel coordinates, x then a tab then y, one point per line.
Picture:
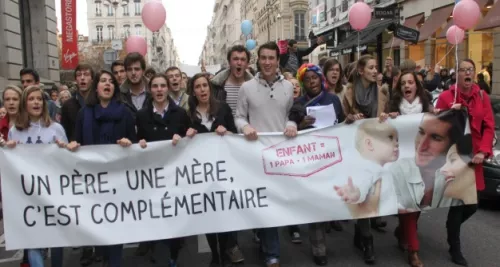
363	99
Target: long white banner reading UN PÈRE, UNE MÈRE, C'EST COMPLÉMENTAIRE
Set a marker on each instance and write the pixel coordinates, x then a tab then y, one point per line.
56	198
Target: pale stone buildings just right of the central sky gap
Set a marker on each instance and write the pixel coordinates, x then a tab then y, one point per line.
272	20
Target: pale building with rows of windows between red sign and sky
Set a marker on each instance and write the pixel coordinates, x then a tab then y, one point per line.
107	22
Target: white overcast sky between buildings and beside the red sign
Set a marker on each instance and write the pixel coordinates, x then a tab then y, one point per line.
188	20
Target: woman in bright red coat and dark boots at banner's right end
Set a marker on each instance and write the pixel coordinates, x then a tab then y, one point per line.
482	126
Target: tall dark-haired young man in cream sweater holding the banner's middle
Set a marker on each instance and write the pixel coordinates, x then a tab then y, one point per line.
263	105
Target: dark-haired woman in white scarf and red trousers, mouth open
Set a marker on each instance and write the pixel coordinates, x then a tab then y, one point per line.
408	97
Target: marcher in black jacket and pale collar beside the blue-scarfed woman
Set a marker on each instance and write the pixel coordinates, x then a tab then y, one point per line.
161	119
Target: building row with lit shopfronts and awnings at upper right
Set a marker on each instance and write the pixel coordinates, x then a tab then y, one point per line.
431	18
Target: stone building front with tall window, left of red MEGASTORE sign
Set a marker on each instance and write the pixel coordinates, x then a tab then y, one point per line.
29	39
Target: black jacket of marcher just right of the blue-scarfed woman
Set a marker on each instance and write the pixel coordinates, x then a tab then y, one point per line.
152	127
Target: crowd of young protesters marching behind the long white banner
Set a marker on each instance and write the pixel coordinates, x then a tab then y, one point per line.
131	104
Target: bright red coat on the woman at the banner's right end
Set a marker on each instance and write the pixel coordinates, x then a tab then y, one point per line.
482	123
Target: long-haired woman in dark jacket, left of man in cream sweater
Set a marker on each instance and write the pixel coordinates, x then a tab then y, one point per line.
211	116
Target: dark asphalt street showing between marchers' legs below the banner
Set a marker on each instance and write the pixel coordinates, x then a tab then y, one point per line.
480	237
